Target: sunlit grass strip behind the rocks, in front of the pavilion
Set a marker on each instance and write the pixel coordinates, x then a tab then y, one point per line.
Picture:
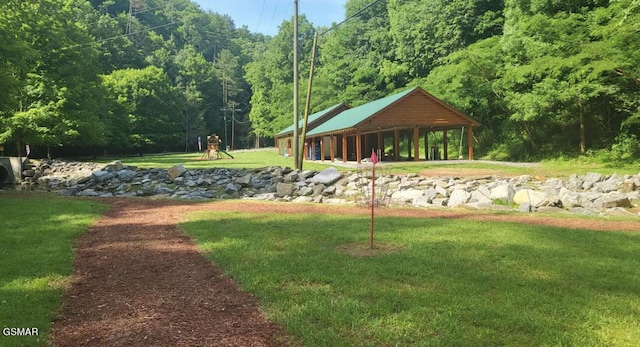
263	158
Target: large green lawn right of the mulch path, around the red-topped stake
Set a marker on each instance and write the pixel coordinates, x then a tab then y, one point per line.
443	283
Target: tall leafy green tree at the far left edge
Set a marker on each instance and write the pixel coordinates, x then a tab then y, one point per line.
57	101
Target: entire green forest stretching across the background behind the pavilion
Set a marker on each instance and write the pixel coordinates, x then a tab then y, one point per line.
544	77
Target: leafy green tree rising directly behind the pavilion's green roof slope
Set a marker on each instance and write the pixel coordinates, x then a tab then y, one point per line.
357	63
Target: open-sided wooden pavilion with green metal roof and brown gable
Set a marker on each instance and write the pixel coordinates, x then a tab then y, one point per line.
349	134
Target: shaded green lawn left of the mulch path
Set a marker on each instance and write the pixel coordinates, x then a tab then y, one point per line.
36	253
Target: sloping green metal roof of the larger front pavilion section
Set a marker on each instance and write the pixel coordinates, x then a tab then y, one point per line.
350	118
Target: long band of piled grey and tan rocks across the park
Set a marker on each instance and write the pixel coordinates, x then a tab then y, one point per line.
592	193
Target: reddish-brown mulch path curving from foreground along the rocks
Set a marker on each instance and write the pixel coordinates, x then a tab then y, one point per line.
139	281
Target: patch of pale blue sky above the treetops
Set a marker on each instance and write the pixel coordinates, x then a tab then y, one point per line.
265	16
